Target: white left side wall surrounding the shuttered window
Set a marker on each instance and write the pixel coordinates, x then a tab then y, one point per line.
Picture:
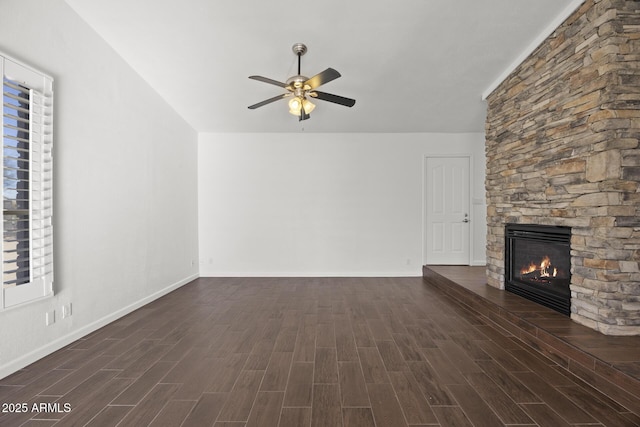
125	204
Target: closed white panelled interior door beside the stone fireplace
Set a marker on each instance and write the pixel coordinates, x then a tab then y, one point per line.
447	210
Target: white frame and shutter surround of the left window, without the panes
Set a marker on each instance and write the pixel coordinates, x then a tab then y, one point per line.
40	183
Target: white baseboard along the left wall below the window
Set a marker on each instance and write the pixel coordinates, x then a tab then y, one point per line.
37	354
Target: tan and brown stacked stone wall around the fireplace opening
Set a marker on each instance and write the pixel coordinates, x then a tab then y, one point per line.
562	145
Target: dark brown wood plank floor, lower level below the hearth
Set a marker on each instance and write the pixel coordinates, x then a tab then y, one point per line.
310	352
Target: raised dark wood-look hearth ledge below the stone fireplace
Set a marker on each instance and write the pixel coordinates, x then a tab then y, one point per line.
507	310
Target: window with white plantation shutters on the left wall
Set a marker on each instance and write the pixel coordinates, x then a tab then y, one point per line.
27	140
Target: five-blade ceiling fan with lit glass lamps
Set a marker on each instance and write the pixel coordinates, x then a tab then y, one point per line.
300	89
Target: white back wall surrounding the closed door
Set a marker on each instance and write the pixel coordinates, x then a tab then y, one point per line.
322	204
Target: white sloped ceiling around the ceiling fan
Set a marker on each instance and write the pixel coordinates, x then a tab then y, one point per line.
412	65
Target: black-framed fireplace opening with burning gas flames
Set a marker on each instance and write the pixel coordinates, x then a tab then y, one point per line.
538	264
